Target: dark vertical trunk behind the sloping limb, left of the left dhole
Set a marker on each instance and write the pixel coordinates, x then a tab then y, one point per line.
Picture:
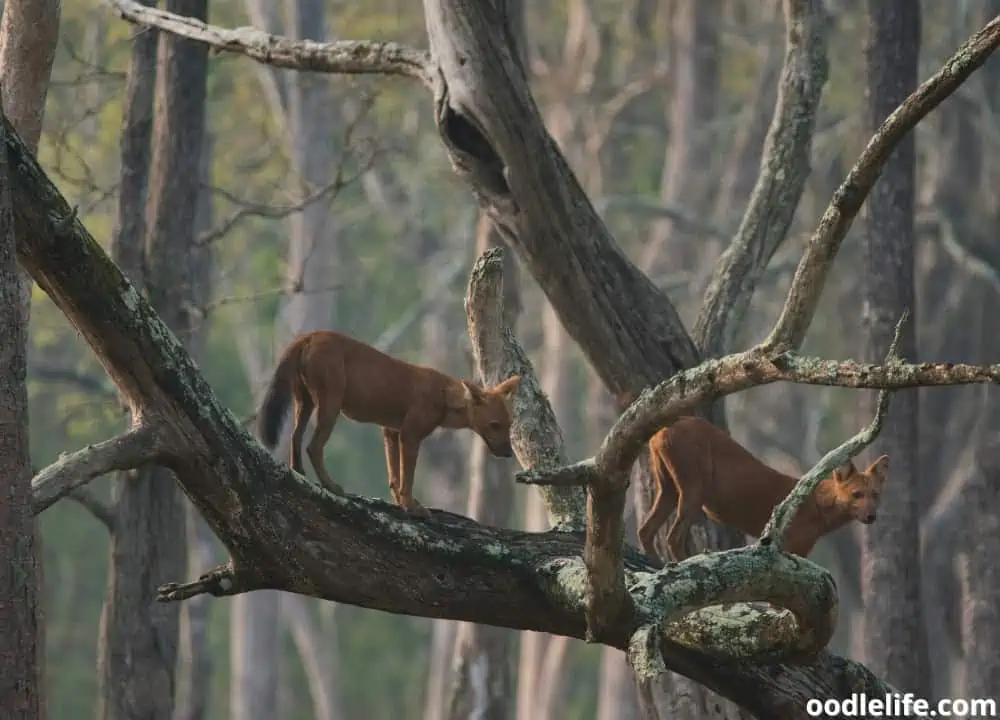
148	544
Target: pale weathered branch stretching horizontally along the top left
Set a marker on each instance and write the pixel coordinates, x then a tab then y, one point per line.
351	57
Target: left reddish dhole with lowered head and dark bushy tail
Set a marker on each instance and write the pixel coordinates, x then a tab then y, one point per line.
336	374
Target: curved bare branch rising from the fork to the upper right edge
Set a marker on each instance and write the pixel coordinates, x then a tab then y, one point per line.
810	277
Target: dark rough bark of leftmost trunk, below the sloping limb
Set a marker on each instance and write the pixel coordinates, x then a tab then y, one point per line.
20	652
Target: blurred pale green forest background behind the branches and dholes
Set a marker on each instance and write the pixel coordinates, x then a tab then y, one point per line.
339	210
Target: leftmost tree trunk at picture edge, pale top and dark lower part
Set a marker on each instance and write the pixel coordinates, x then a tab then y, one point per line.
29	32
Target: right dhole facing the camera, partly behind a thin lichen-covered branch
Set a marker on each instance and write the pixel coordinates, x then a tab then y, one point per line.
699	468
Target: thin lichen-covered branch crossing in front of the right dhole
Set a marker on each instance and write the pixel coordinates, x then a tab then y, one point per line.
785	511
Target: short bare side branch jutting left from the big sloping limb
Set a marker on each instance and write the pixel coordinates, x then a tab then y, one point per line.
132	449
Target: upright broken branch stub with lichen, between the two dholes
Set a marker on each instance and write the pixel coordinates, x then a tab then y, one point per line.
535	433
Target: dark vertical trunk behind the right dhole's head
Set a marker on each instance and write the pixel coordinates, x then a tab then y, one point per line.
895	635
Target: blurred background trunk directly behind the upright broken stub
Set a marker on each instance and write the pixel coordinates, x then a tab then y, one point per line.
481	681
